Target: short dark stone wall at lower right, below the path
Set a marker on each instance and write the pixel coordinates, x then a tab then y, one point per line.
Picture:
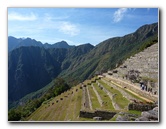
141	107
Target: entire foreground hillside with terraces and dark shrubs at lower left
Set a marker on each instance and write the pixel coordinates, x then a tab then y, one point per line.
69	103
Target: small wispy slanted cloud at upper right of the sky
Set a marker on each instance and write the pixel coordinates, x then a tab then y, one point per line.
119	14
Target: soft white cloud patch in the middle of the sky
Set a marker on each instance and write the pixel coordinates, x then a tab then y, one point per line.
69	28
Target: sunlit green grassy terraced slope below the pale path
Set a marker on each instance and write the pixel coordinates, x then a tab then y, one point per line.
88	98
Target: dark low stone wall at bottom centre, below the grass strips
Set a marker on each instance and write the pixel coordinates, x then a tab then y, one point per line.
105	115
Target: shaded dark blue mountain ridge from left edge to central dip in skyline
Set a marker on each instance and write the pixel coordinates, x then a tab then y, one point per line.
31	68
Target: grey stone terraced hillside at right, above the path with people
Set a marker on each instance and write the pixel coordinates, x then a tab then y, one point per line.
145	62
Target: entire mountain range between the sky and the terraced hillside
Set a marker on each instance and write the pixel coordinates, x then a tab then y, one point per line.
32	65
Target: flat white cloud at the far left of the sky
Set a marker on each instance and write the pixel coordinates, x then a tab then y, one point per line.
19	17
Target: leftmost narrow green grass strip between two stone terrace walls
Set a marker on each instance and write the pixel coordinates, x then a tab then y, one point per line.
93	97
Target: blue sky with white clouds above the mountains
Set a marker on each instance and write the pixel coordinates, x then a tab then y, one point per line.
77	25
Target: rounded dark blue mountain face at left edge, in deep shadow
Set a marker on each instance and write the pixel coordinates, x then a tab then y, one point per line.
29	69
